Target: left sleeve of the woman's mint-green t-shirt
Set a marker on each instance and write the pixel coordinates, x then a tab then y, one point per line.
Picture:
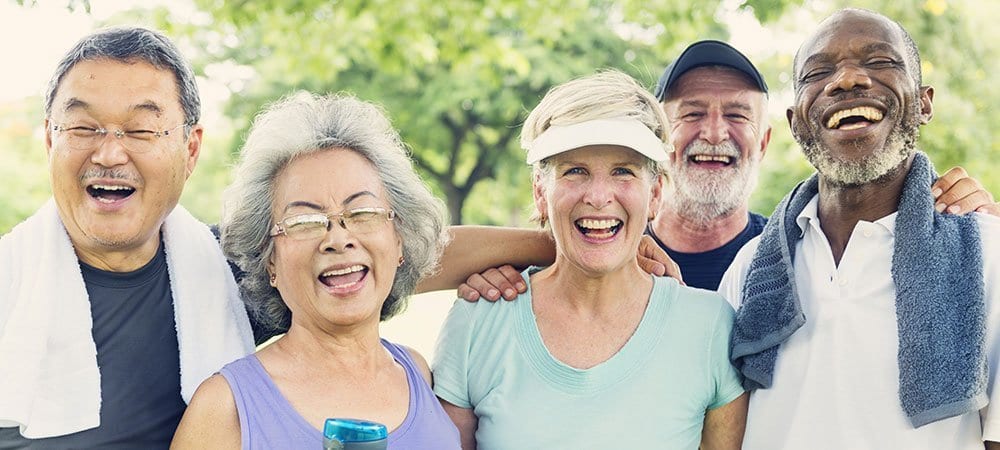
451	356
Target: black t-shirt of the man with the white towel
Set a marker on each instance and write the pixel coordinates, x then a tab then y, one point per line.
138	358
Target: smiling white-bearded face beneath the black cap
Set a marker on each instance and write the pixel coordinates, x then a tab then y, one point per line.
718	127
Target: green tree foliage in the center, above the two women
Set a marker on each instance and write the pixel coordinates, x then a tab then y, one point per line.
457	77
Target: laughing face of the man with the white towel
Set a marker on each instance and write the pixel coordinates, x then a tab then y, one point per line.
111	199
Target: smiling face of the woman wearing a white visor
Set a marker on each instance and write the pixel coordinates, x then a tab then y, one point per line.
597	200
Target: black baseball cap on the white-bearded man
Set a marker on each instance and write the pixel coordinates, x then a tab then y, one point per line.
707	53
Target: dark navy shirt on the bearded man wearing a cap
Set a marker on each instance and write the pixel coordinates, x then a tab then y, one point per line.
704	270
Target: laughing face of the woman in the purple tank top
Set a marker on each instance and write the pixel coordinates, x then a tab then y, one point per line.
342	277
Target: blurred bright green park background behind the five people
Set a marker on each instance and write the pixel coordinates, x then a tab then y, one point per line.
459	77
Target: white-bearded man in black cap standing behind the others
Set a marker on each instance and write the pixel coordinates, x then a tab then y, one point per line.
716	102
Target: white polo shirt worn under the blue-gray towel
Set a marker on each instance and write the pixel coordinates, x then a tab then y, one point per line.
836	379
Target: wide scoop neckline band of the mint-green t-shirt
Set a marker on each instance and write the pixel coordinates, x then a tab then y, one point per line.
608	373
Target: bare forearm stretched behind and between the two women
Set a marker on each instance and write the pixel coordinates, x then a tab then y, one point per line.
473	249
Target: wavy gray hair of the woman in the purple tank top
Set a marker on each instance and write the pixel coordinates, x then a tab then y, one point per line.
303	124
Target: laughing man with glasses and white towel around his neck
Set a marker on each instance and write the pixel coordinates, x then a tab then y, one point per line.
115	303
